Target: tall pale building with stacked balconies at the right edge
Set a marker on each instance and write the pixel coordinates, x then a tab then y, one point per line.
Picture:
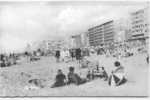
139	24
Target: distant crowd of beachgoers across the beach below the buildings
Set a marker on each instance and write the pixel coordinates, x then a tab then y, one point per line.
66	55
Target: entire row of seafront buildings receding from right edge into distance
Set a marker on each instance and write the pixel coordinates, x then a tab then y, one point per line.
132	29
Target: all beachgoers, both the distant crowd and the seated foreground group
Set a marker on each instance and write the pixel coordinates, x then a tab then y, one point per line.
116	77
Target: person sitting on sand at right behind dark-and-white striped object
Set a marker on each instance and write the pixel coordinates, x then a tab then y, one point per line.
117	76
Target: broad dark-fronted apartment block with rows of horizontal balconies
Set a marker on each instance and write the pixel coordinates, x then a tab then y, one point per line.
102	34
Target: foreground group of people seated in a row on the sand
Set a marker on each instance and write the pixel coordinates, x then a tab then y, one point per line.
116	78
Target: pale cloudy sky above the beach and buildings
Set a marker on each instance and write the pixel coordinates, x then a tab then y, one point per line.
26	22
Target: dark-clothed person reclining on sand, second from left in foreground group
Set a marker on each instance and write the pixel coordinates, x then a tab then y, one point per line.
74	78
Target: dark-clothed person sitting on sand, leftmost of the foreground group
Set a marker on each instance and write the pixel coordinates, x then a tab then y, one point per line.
60	79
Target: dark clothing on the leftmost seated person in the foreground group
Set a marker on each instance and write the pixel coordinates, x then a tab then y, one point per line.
59	80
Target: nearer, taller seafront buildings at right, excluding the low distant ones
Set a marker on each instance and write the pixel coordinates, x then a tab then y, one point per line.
135	28
